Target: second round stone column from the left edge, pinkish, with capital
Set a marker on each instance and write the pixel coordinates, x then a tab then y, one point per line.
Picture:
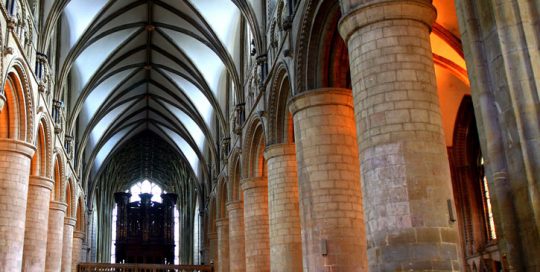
37	220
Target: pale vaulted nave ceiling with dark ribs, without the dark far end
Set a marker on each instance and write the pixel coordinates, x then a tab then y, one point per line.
130	66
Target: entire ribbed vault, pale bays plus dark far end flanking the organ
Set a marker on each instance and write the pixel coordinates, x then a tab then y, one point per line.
146	87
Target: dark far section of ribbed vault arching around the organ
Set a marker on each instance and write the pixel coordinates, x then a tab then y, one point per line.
146	156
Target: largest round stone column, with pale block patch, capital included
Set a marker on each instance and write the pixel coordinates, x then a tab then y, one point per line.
405	172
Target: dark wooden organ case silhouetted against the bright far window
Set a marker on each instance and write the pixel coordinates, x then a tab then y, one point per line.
145	229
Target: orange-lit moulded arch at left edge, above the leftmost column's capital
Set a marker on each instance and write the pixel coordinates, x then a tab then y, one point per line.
18	111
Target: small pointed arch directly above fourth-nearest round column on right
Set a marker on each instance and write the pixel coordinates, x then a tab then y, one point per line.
254	144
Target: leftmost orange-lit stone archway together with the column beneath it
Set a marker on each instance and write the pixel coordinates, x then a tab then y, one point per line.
16	134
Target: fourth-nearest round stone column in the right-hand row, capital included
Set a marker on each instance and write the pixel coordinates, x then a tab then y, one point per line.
256	224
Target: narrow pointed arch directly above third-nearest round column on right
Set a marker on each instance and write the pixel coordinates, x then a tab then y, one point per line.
279	118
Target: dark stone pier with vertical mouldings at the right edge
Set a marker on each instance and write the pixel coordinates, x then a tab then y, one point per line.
498	40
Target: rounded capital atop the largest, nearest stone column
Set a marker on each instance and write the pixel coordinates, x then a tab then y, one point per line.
377	11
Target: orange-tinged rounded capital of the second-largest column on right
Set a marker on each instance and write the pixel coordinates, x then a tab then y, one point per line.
320	97
